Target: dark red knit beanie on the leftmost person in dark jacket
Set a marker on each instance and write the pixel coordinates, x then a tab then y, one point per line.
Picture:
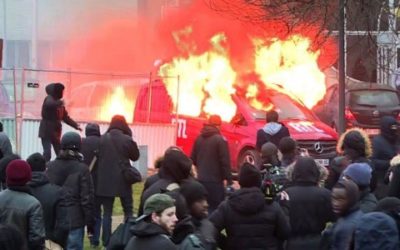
18	173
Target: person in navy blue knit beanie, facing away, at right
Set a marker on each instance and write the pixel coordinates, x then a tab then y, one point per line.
360	174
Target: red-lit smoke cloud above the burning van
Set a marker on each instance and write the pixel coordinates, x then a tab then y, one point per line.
131	44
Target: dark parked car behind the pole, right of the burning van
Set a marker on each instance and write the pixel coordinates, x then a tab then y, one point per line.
365	103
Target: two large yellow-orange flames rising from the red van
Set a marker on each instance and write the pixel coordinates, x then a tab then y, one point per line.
208	79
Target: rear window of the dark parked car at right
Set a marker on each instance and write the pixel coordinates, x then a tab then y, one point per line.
374	98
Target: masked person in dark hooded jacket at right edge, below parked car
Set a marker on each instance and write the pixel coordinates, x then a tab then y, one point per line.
384	147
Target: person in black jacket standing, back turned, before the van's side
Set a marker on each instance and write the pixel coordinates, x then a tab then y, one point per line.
210	155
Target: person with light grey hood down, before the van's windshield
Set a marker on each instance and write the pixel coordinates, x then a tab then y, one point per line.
273	131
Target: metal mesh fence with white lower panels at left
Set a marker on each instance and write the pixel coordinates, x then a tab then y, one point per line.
88	97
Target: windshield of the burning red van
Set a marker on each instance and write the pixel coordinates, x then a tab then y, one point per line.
287	109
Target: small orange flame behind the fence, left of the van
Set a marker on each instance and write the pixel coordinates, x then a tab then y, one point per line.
116	103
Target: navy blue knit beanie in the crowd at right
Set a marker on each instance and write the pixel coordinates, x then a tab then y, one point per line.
360	173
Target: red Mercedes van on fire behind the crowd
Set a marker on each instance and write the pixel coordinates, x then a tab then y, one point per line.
318	138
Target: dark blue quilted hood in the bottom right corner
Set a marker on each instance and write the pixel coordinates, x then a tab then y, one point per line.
376	230
